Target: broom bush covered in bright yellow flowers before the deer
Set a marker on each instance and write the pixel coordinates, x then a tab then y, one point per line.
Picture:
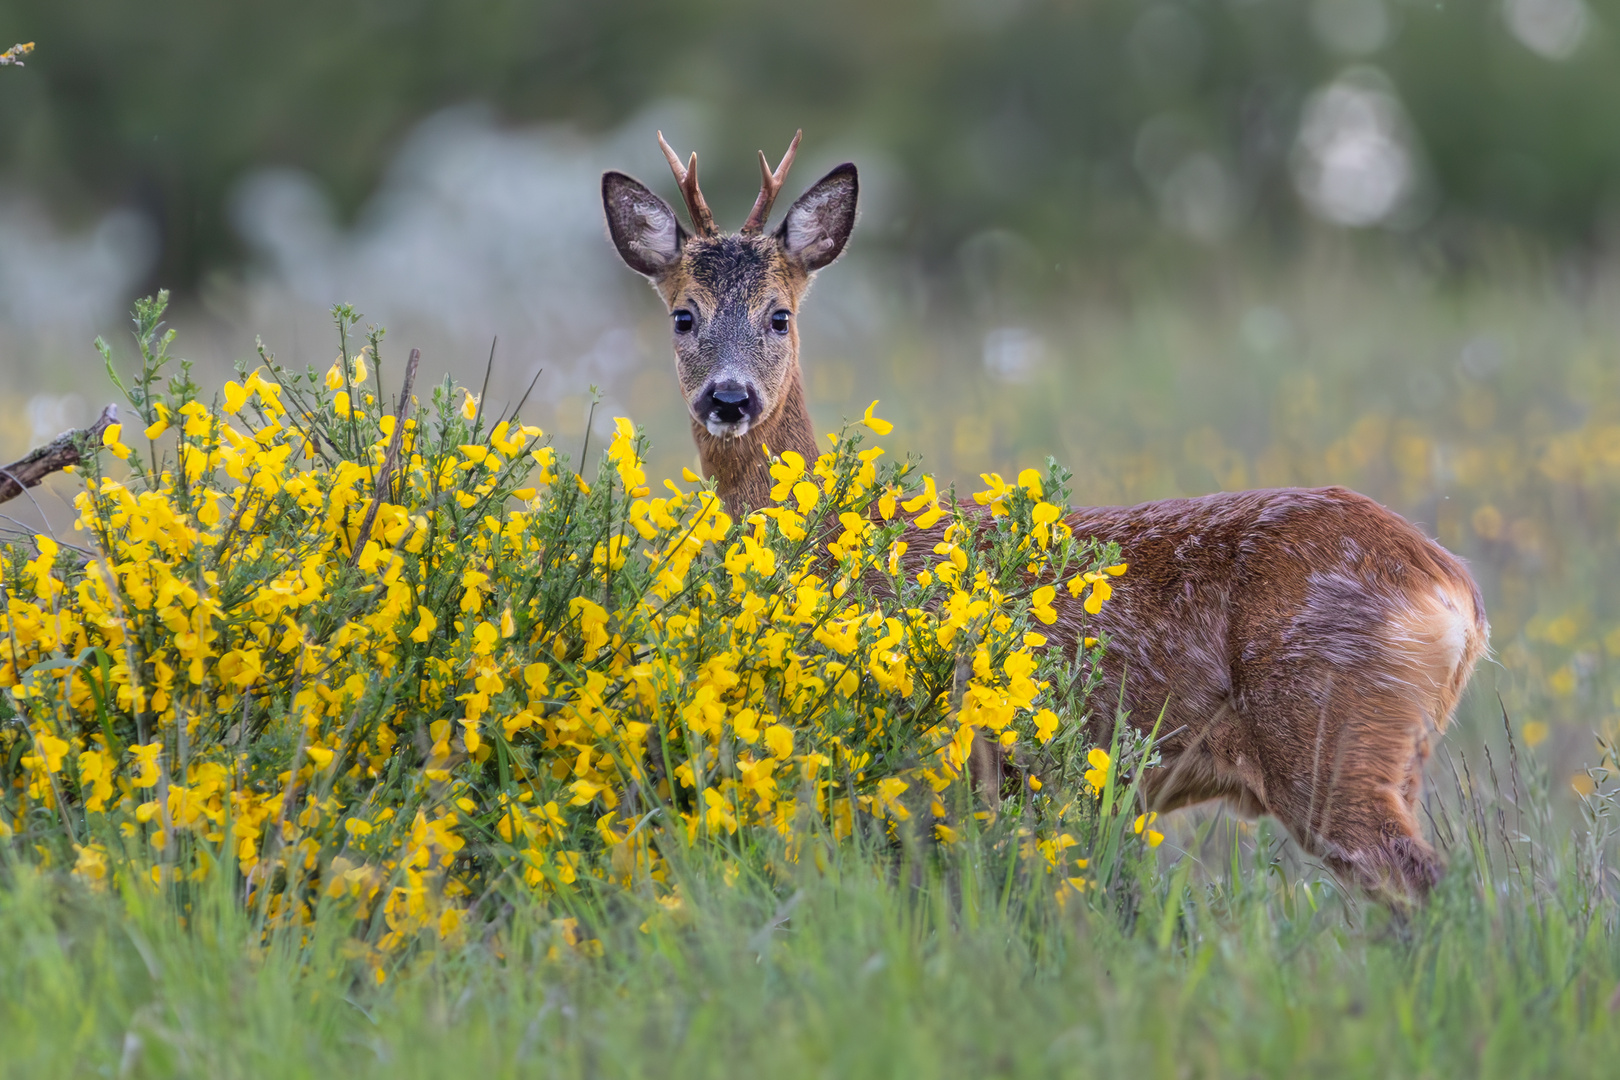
383	668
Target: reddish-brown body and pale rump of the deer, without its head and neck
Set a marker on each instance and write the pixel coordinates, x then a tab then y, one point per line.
1307	647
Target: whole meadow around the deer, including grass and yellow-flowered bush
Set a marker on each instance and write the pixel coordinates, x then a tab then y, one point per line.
364	831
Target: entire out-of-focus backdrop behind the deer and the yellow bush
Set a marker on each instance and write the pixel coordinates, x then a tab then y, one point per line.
1182	245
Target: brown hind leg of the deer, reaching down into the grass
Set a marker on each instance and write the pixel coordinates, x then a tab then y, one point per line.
1347	783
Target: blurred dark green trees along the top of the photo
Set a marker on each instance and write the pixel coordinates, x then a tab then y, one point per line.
1078	124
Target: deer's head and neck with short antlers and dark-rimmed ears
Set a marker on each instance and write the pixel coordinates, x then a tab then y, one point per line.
735	305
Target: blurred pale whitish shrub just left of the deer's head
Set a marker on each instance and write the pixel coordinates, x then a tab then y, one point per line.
474	227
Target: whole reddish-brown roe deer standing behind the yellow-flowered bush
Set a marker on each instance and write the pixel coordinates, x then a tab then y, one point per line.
1307	645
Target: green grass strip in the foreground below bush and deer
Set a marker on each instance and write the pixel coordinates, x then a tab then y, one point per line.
1229	958
